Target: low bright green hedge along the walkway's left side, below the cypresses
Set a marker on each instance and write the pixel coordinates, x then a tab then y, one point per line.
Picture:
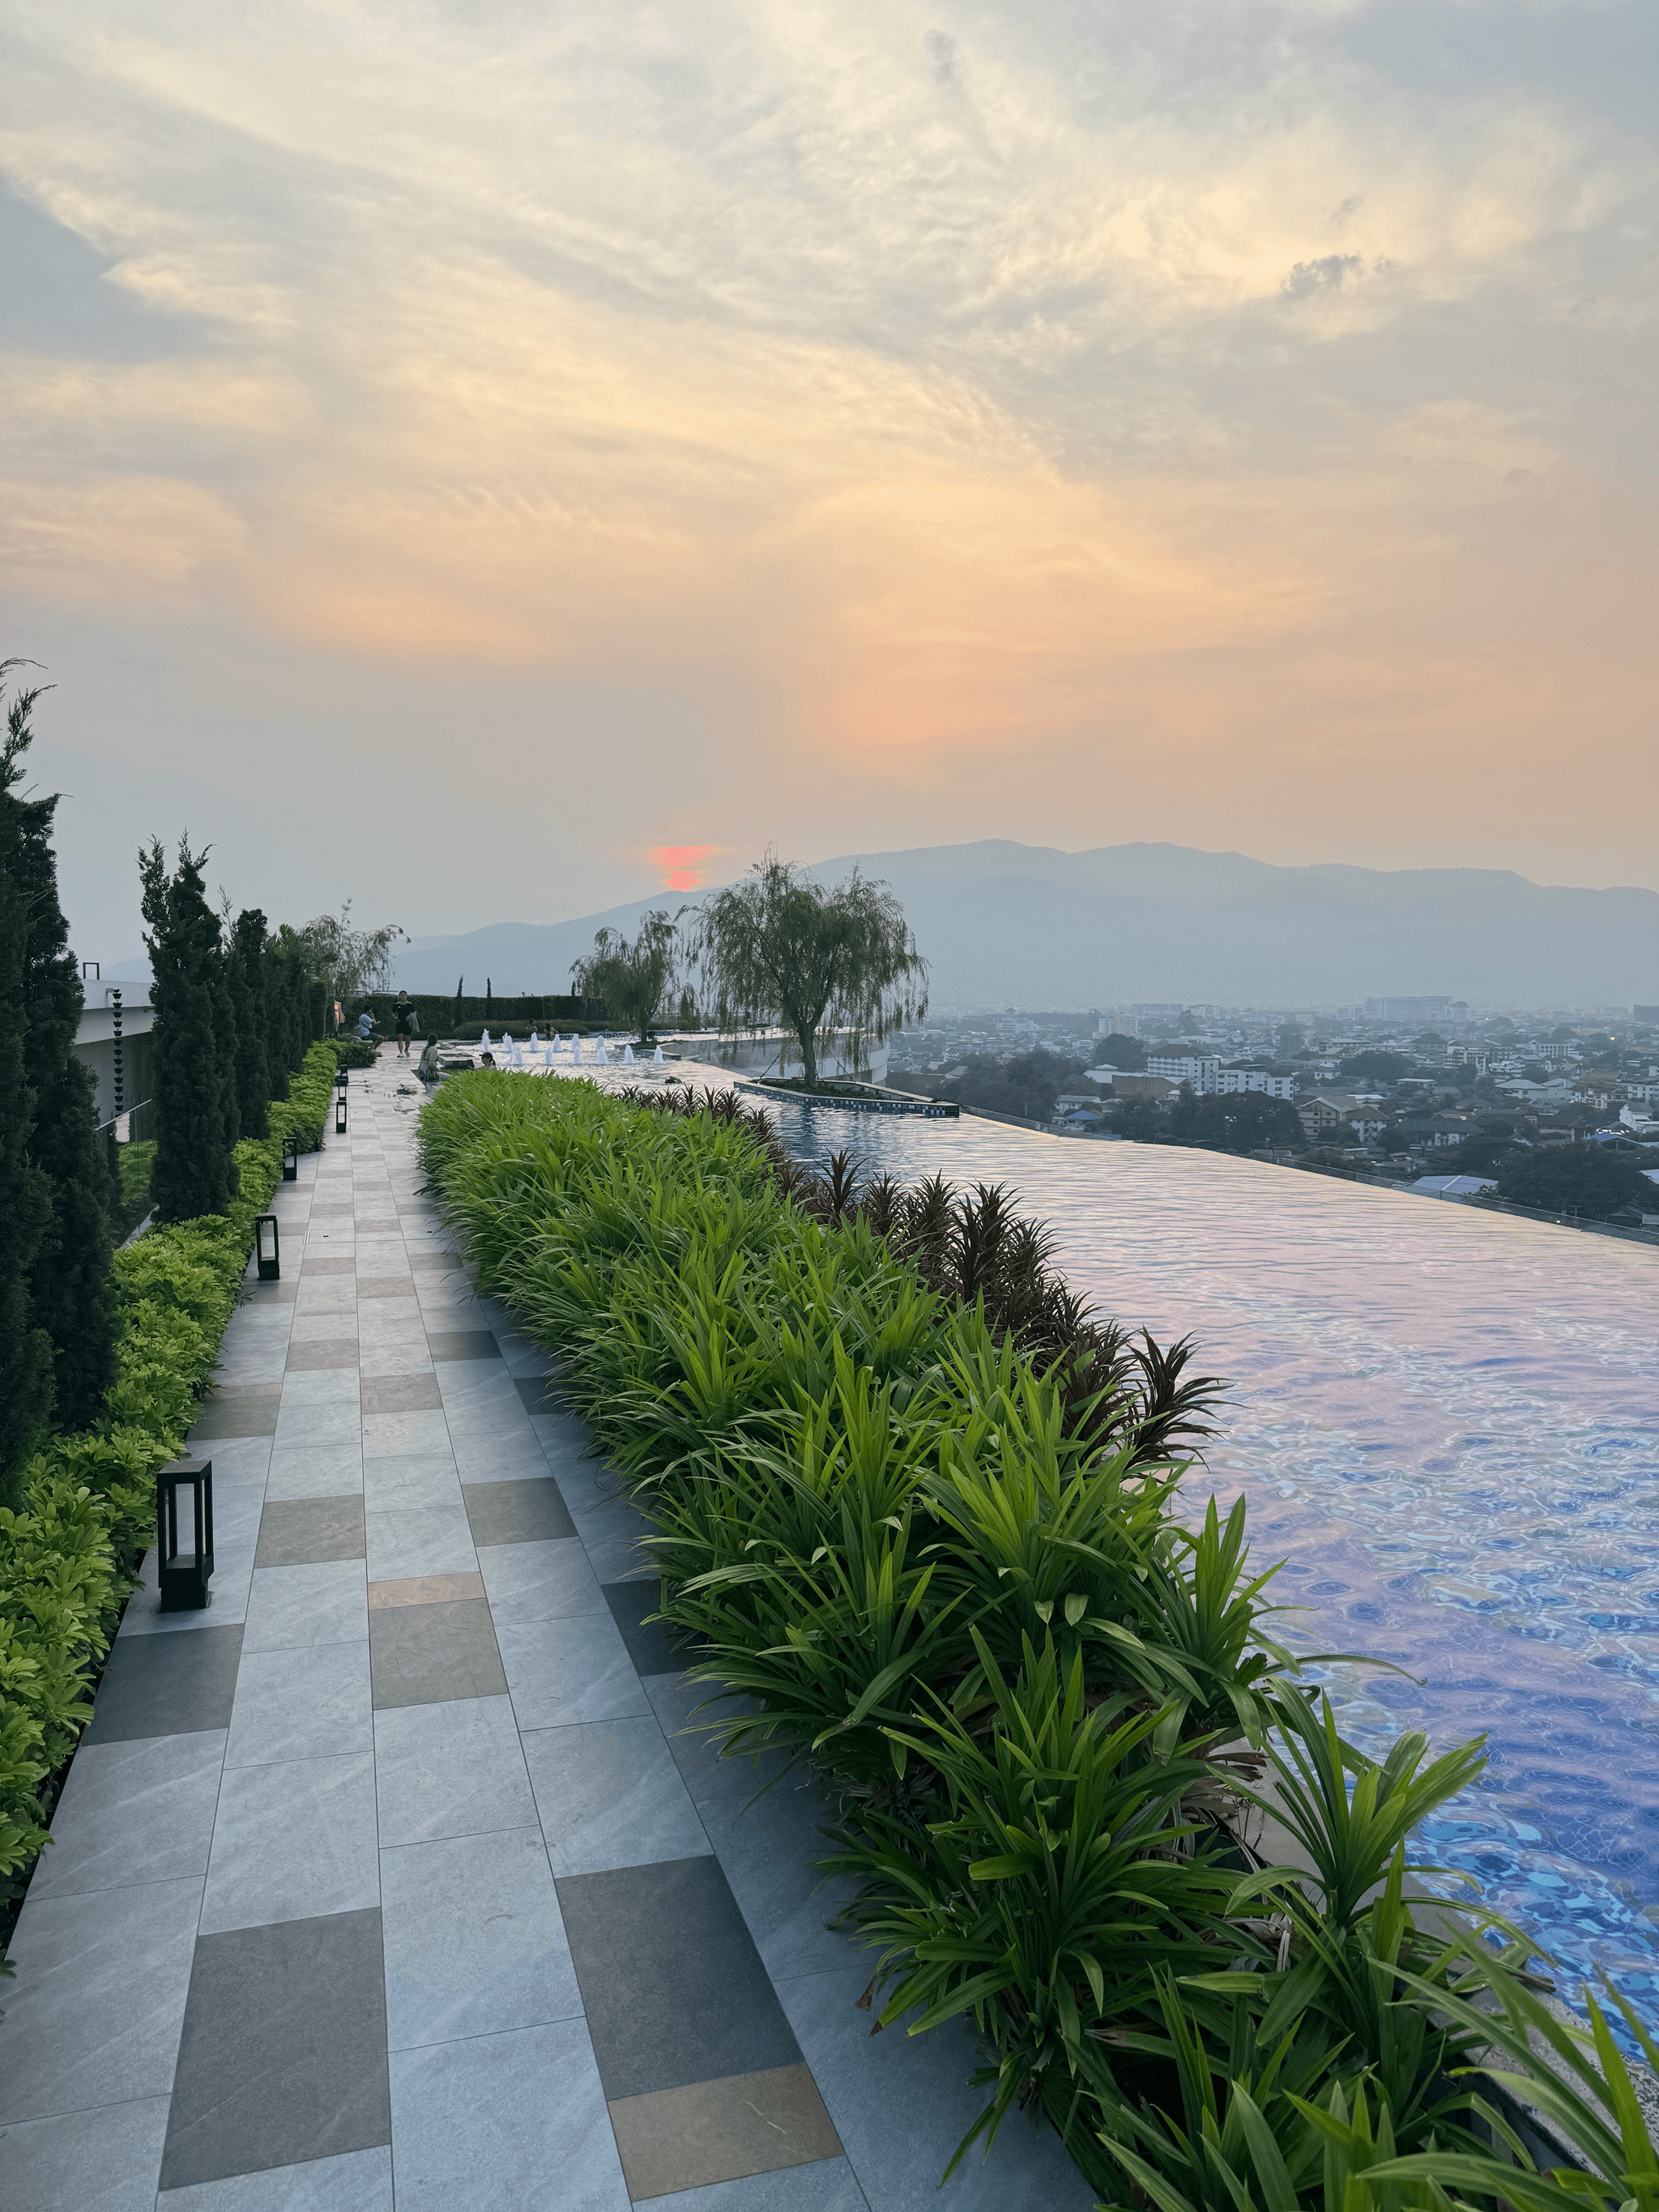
72	1556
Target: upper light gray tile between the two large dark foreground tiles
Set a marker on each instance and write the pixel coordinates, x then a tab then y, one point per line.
474	1941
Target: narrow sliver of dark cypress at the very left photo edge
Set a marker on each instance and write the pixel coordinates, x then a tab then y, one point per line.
25	1213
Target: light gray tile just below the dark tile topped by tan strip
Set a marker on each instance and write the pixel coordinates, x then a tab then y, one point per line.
450	1771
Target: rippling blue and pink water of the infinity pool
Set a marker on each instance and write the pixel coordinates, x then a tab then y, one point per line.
1448	1426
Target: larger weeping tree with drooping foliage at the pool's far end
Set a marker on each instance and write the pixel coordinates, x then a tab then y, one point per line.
782	948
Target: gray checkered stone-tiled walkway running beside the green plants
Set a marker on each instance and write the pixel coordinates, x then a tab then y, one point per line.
395	1879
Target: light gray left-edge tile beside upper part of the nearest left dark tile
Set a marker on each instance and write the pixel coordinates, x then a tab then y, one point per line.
96	2007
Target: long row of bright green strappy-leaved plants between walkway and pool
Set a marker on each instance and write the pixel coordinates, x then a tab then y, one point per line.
1045	1707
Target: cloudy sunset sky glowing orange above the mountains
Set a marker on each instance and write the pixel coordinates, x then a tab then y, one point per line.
492	459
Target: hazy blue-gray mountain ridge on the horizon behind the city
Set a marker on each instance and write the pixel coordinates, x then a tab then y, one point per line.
1034	928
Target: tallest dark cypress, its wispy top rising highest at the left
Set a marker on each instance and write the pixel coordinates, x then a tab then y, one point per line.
70	1280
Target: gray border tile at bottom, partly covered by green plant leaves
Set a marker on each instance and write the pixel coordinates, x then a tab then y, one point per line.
904	2103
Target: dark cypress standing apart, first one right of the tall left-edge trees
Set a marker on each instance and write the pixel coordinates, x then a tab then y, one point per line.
191	1156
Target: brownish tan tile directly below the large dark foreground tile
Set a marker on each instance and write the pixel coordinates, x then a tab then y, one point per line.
722	2131
